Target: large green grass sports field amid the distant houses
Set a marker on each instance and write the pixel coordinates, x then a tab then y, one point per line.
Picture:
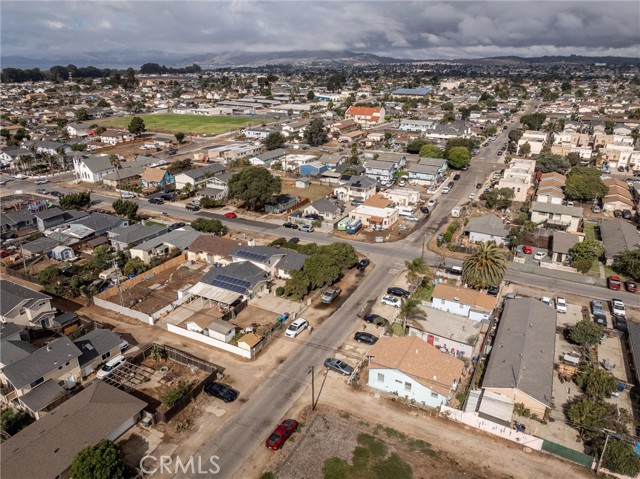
188	124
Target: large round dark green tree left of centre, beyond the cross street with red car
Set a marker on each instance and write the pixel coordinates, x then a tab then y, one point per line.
255	186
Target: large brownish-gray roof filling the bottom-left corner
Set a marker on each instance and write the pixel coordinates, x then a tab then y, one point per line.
59	436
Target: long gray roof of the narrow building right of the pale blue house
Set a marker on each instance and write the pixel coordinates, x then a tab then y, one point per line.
524	349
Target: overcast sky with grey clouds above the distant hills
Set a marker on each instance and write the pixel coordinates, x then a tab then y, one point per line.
421	30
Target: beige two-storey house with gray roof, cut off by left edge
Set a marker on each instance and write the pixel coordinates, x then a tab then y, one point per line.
24	306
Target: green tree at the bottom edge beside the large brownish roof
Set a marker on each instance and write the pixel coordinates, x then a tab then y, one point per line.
102	461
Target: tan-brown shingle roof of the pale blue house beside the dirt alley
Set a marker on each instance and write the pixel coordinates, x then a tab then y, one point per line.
418	359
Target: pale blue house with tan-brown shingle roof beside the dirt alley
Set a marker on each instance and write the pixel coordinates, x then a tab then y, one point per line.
411	368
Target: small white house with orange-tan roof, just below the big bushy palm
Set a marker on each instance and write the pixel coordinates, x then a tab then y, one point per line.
467	302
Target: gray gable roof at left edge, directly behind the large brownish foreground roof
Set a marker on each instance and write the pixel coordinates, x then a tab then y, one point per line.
43	361
